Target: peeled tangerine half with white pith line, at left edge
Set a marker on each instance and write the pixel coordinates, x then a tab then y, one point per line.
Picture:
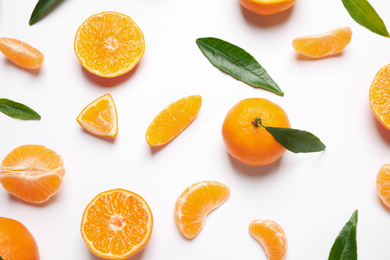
32	172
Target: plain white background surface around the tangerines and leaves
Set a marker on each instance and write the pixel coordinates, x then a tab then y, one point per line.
310	195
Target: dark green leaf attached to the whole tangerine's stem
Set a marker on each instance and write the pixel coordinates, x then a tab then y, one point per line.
296	141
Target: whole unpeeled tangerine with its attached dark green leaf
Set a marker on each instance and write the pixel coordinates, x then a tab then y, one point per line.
257	132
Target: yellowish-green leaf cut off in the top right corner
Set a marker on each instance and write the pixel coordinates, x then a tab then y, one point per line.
364	14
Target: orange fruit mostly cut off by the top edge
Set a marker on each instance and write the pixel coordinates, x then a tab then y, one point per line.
267	7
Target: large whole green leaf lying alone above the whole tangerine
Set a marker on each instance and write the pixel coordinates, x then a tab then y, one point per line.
237	62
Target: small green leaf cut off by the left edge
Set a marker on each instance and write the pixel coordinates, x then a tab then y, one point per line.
18	110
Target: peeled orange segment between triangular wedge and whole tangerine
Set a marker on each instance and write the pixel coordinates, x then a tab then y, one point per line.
172	120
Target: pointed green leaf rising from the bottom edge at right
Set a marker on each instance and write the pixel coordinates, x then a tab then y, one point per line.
345	245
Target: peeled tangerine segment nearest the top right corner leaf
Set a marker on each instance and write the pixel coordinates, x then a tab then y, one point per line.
324	44
